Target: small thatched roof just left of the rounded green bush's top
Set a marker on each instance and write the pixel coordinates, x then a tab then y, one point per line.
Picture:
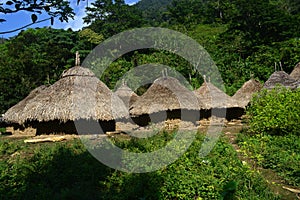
244	94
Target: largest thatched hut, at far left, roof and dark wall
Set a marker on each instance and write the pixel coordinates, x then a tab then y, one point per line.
78	96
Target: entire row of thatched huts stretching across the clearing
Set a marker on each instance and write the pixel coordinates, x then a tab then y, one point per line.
79	101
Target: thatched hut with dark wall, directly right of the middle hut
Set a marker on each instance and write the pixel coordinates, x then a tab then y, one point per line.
216	102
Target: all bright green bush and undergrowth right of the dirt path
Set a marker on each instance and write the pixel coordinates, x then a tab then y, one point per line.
272	139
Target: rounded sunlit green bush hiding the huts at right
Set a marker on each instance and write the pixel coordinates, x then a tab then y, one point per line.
275	112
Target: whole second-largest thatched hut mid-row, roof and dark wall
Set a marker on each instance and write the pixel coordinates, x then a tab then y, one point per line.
165	99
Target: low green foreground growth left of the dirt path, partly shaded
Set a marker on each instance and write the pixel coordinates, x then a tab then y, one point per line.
66	170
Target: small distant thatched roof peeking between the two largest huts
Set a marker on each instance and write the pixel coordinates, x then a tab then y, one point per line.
126	94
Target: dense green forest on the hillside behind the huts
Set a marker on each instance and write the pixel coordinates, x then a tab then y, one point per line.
244	38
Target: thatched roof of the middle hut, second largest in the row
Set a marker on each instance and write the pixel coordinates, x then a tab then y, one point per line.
165	94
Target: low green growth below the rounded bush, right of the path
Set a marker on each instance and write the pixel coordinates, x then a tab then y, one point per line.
279	153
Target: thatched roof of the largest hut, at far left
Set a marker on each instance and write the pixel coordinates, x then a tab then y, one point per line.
77	95
